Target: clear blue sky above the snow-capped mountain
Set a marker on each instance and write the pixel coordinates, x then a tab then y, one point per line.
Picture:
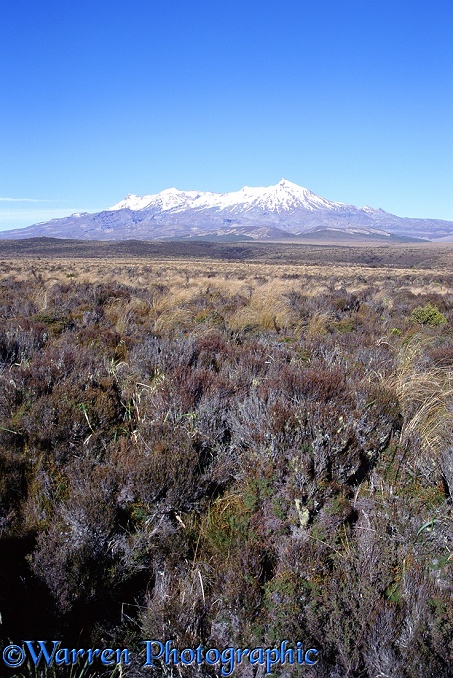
352	99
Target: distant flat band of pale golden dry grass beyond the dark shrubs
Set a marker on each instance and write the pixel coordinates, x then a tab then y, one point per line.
262	280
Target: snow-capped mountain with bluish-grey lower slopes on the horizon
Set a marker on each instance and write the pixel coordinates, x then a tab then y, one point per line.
285	210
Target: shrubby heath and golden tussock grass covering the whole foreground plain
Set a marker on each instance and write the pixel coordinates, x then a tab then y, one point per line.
229	453
